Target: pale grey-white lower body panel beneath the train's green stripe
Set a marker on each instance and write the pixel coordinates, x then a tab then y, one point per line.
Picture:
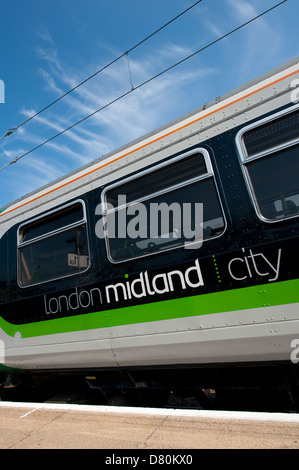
261	334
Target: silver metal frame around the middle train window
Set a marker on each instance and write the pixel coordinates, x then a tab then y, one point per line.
209	174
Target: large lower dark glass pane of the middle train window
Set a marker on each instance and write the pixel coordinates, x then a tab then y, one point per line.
162	230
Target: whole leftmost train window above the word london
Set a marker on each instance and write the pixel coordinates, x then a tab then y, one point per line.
53	246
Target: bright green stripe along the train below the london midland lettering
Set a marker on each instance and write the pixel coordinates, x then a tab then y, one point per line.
285	292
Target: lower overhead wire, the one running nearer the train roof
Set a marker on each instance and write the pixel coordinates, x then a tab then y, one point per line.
144	83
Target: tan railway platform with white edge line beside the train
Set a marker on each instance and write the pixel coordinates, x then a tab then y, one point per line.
63	426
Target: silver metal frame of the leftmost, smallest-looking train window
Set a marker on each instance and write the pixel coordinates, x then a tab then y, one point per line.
50	234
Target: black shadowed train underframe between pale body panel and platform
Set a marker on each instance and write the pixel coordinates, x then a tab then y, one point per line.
244	387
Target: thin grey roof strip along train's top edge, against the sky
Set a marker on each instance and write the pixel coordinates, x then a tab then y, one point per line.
206	106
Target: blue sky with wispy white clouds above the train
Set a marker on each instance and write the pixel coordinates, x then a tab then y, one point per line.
49	46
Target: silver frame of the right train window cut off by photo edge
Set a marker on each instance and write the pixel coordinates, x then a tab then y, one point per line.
245	159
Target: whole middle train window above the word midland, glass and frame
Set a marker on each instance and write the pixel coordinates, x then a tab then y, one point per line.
162	208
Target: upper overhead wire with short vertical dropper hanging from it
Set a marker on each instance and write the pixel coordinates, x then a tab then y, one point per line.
102	69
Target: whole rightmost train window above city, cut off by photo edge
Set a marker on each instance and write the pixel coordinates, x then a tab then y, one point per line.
270	157
